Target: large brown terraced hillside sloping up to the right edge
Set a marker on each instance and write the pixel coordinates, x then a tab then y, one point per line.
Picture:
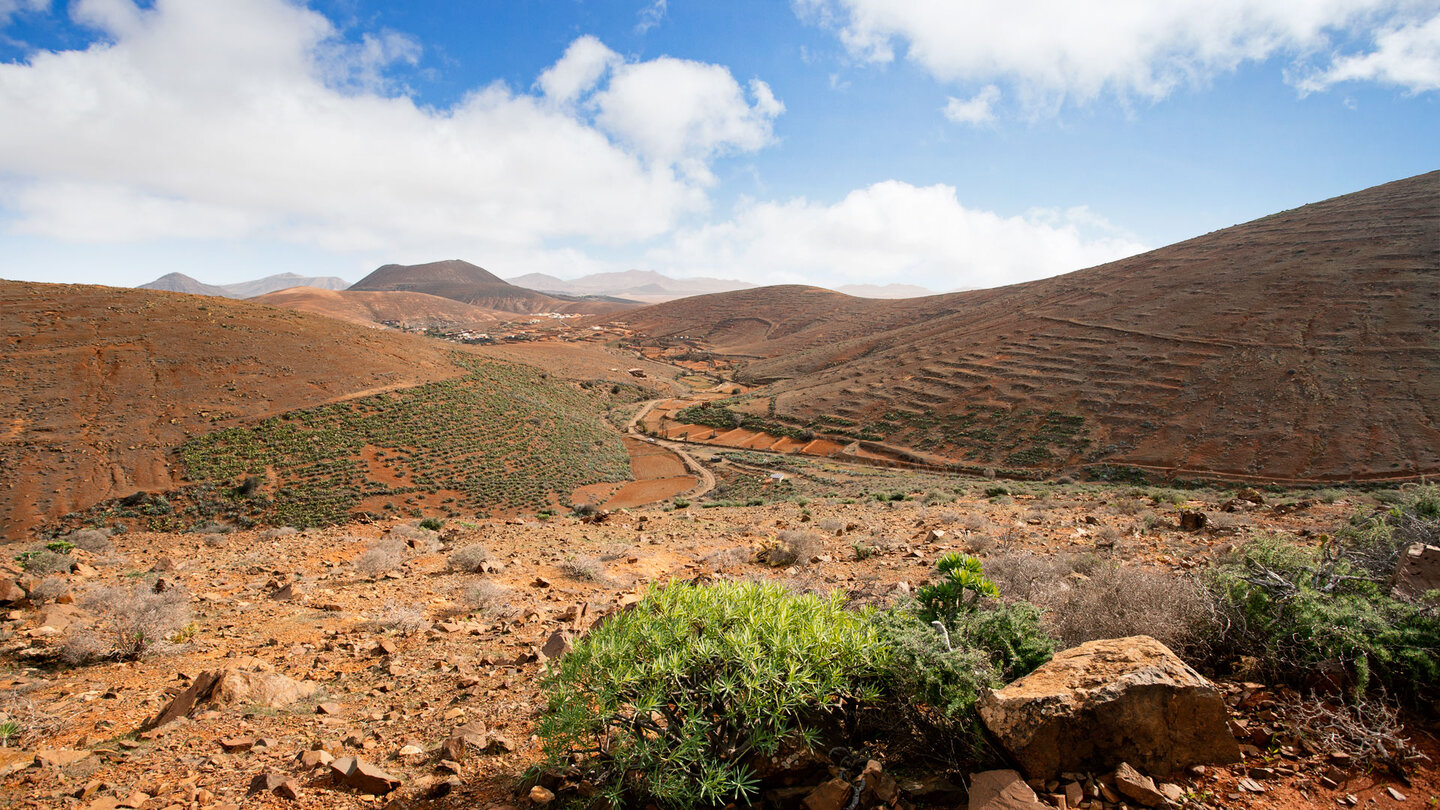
1304	345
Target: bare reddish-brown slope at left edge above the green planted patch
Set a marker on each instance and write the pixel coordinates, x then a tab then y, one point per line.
102	383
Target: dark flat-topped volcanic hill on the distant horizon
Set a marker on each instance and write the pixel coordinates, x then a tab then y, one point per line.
470	285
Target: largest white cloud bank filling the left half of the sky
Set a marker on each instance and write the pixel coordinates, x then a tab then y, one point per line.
257	119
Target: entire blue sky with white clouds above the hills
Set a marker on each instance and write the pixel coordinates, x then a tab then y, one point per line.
832	142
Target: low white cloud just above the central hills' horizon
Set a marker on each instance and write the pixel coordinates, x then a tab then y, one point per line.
894	233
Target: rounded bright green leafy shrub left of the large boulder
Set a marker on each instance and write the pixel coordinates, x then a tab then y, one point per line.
680	694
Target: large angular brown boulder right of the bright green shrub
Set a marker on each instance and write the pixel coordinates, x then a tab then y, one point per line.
1110	703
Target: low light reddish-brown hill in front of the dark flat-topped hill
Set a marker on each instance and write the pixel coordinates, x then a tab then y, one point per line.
374	309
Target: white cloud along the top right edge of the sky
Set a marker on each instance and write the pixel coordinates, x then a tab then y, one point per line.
1058	51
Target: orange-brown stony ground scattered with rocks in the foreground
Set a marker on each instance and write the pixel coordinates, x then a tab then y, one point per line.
339	645
